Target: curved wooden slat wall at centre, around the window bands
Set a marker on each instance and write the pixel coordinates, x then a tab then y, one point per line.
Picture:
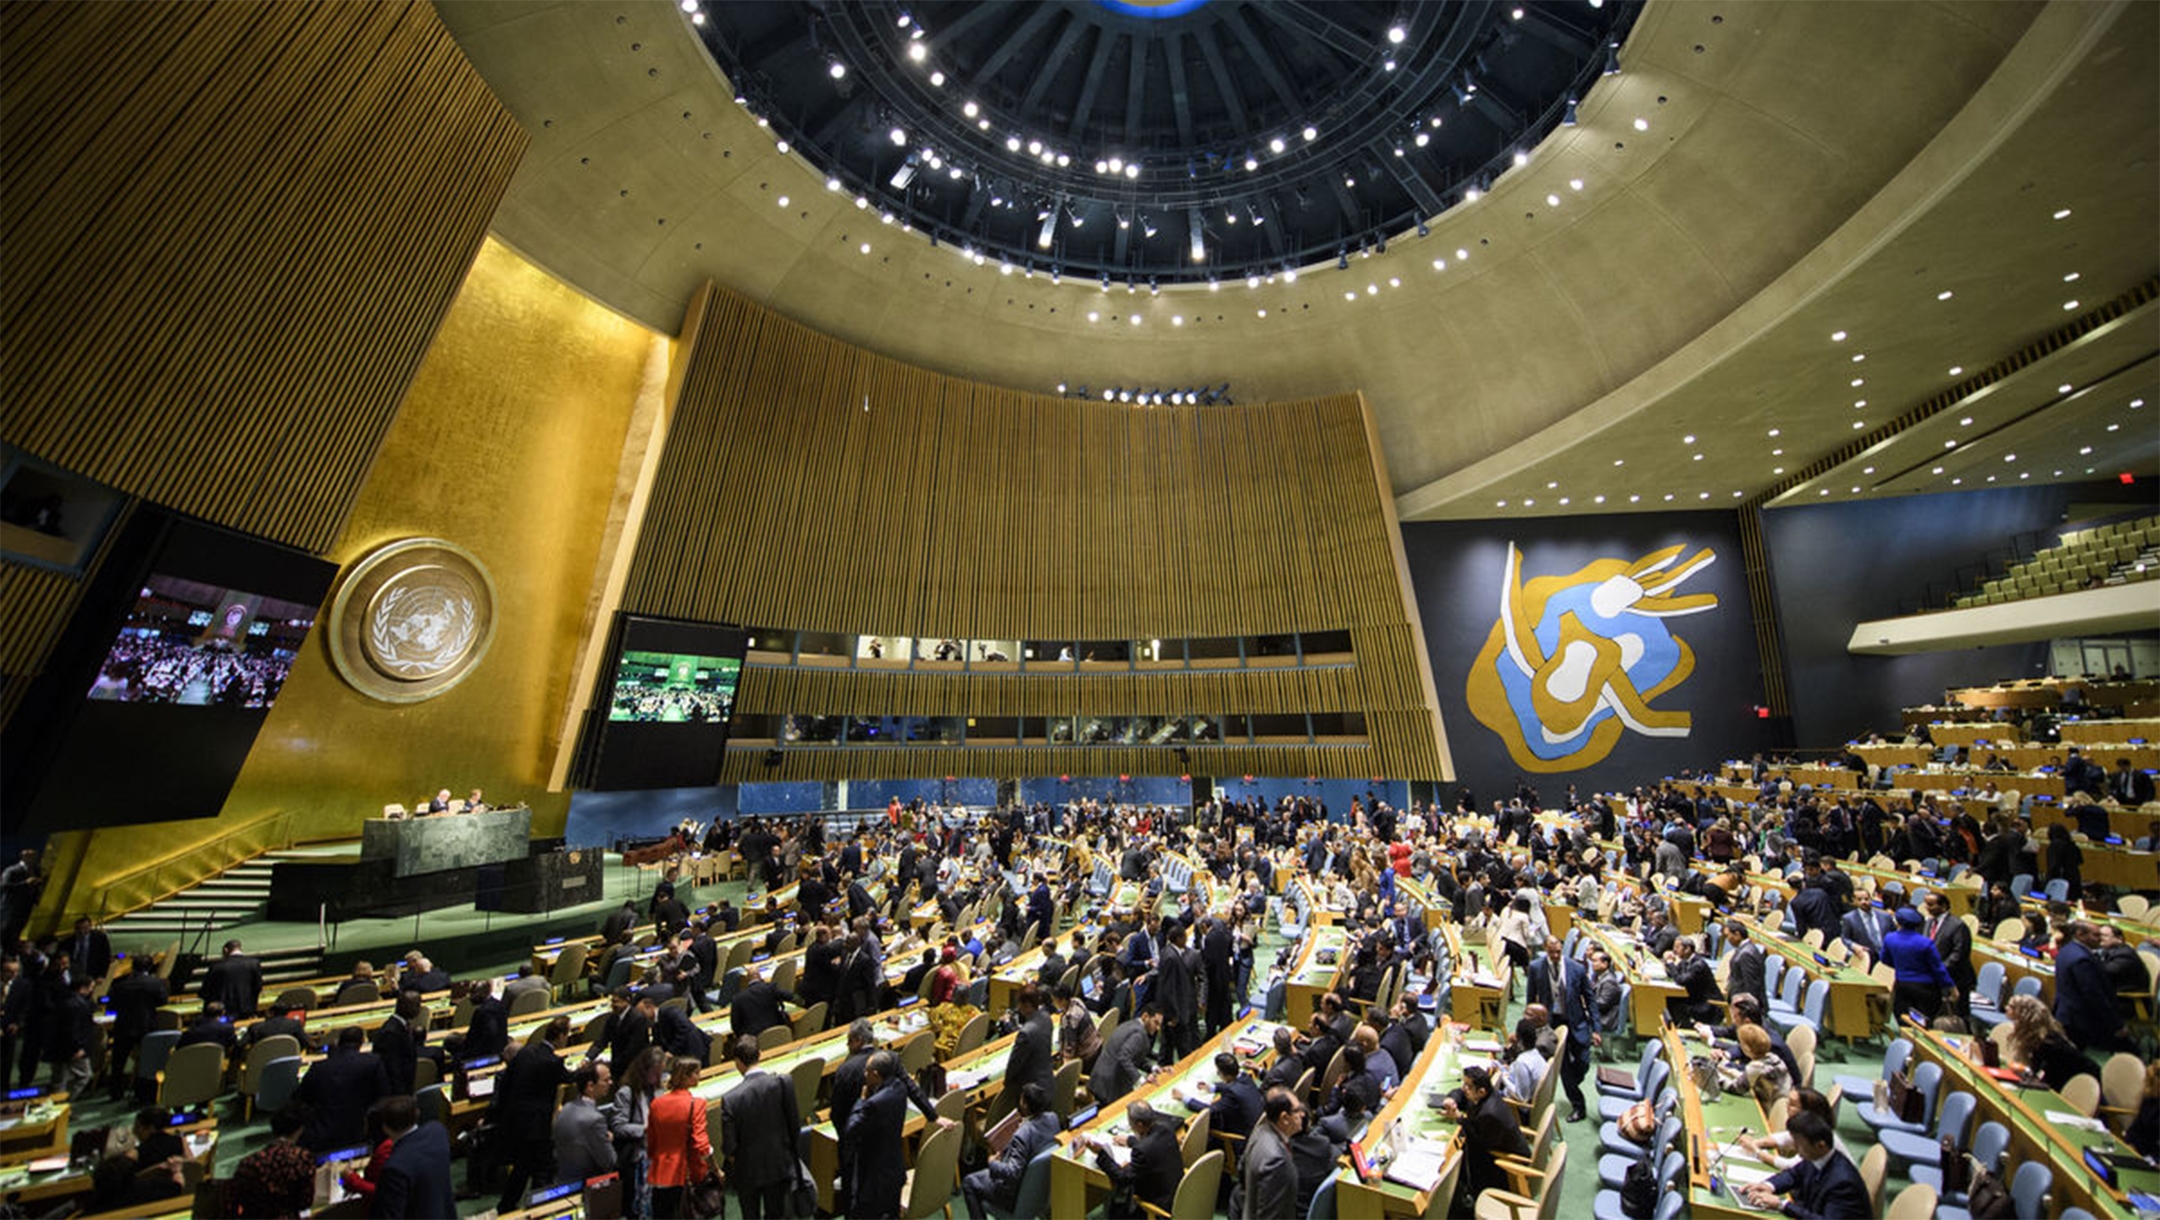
962	511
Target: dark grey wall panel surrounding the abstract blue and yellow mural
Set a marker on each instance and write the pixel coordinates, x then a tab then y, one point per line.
1459	573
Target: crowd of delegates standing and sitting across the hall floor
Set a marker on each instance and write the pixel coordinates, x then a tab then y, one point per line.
919	908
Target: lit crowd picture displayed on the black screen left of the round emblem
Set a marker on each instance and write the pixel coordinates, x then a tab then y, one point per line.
195	645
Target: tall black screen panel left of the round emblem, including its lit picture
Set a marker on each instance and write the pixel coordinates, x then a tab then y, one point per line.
165	677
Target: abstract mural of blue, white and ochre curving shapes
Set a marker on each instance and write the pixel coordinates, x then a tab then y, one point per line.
1578	660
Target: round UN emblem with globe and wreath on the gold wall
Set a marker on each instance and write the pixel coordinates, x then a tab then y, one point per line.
411	621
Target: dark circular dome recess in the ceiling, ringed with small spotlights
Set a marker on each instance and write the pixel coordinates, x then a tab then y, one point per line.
1161	144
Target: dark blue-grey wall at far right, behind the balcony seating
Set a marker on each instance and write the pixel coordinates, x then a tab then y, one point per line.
1841	565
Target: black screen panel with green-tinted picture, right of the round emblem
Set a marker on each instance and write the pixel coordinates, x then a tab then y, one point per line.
664	711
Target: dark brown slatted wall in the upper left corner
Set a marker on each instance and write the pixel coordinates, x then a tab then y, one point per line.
232	230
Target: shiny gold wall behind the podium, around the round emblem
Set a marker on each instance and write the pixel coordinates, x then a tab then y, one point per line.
507	446
